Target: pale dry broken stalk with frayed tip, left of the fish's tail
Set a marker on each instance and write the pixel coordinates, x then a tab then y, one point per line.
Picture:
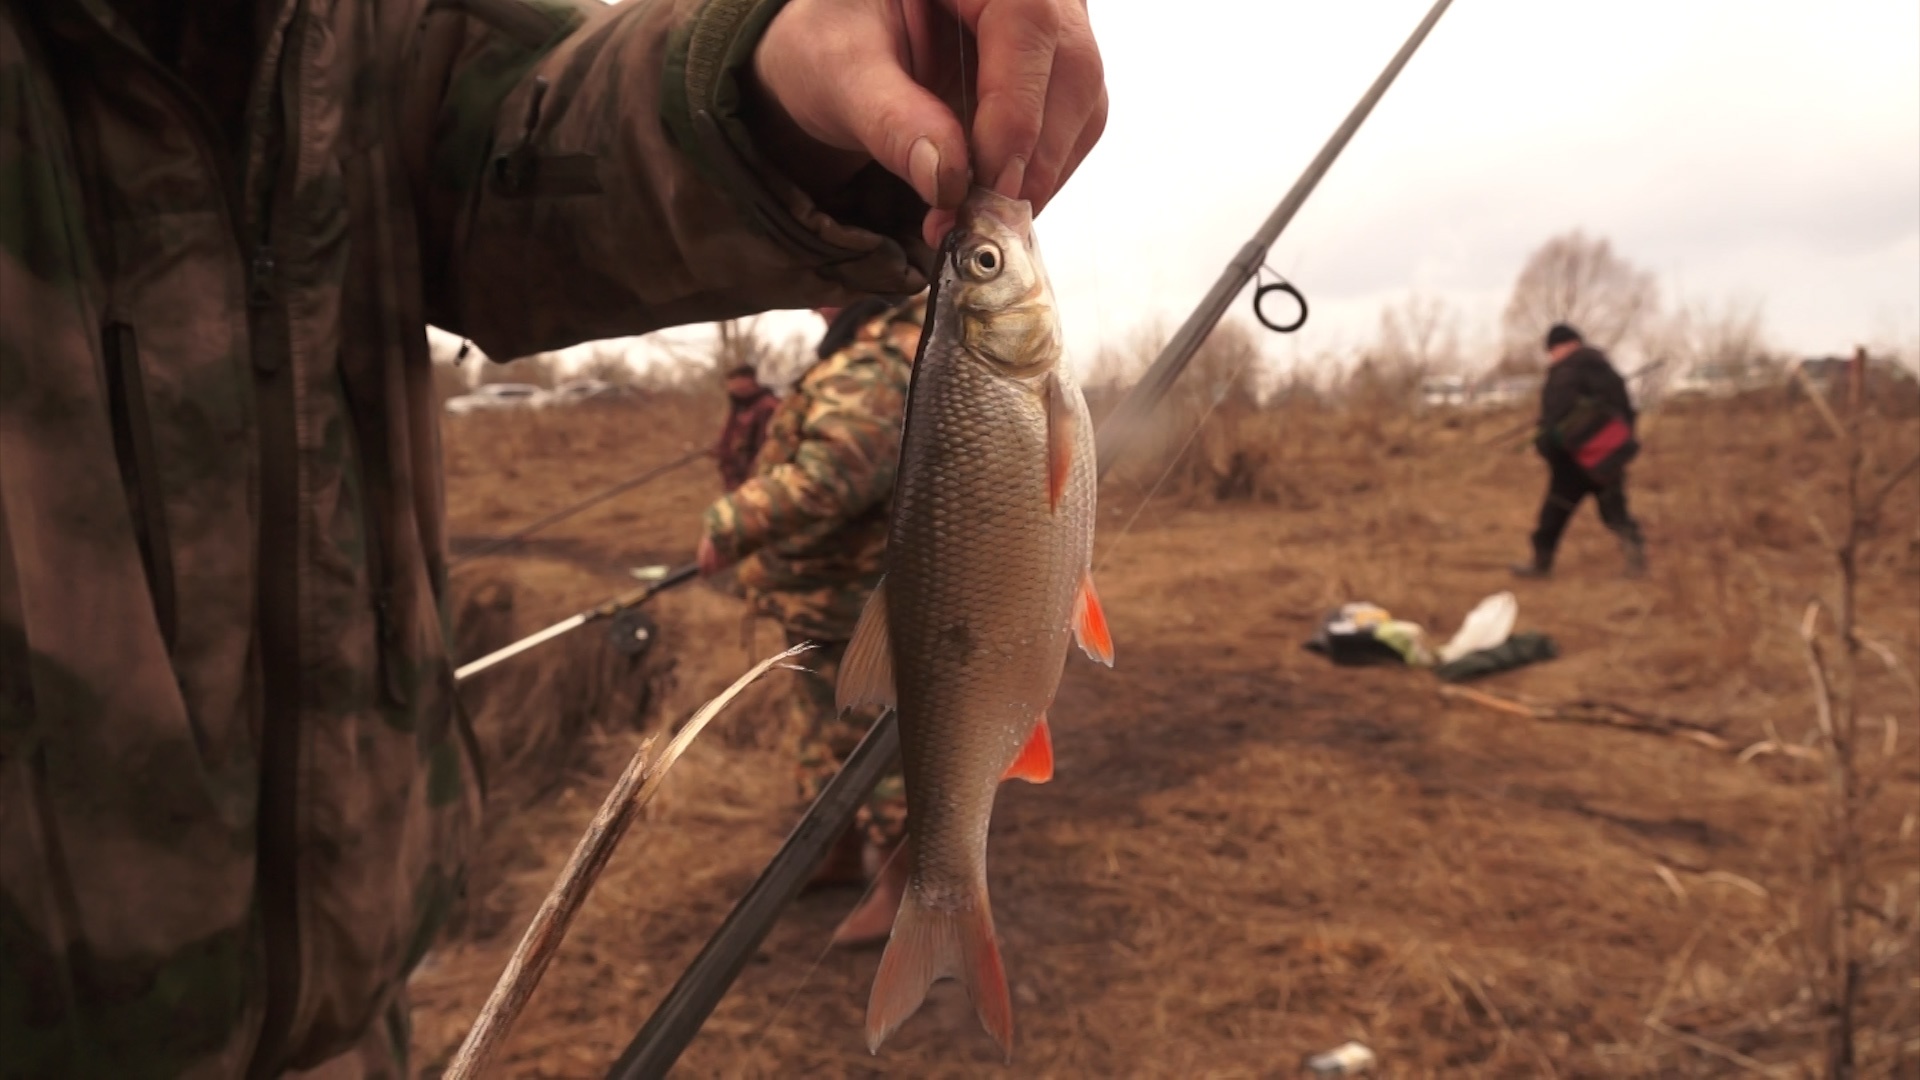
636	787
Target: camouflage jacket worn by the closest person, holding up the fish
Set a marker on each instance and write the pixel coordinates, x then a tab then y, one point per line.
235	797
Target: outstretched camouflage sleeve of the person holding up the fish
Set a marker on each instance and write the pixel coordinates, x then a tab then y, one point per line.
587	172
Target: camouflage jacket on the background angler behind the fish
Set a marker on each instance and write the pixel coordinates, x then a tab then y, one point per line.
811	524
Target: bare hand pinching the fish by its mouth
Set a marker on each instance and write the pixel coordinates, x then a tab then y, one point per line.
878	80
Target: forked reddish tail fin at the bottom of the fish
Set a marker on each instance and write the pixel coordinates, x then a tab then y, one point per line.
930	945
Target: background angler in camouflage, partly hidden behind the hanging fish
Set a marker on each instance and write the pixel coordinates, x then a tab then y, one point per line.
809	531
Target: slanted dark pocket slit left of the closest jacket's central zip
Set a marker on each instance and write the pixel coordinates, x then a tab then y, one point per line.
133	447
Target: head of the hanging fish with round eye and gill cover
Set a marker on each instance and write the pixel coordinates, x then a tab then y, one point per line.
1001	295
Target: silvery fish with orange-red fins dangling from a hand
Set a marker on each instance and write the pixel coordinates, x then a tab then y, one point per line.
988	585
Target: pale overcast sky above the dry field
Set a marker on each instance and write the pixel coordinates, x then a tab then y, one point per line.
1756	151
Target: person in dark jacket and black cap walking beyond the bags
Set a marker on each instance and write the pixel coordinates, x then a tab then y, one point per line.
1581	393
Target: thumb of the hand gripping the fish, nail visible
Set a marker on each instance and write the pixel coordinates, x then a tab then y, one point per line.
907	130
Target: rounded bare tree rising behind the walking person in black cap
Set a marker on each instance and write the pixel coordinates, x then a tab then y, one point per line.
1579	280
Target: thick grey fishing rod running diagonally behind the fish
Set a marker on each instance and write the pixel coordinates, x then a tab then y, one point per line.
679	1018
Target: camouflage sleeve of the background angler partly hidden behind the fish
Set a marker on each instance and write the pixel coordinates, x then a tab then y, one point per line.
842	468
